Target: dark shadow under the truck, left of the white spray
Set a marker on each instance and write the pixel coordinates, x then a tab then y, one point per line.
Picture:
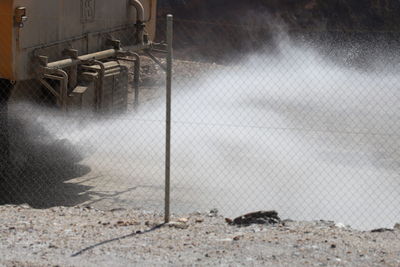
40	167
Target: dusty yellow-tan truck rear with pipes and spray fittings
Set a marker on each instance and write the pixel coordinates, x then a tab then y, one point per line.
74	48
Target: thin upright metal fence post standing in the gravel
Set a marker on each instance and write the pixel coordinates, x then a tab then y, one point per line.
168	120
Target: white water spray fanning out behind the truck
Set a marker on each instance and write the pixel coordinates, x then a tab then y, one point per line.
289	130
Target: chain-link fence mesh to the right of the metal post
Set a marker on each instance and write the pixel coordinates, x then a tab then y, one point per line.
302	122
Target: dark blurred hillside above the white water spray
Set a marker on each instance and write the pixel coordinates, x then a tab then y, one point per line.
213	29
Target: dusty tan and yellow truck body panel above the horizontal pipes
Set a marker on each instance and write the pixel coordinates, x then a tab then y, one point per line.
32	28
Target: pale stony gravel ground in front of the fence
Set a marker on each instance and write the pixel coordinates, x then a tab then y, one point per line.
88	237
